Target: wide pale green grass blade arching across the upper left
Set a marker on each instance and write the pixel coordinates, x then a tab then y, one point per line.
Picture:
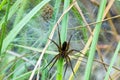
21	24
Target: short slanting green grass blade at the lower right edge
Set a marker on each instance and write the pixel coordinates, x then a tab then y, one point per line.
112	61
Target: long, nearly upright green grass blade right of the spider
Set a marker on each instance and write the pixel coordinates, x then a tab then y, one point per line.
95	39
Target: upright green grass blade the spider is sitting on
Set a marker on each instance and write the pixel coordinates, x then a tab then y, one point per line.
63	38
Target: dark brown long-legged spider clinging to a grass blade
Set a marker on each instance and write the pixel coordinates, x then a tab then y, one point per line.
64	52
